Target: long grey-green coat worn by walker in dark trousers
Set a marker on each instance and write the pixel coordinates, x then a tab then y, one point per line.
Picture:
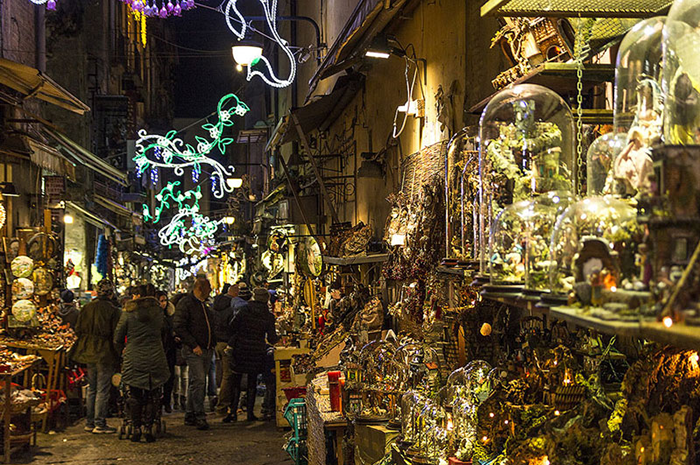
143	325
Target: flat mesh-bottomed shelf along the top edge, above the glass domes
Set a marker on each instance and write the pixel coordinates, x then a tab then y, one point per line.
575	8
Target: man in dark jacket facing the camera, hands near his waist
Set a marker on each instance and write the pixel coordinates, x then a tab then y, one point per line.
194	325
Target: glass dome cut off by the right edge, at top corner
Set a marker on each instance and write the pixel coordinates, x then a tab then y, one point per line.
681	74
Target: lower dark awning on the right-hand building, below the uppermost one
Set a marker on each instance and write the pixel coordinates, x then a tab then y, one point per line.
319	114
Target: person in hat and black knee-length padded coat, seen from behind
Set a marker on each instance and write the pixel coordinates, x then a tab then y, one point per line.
253	328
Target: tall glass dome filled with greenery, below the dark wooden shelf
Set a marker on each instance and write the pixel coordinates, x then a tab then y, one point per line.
526	148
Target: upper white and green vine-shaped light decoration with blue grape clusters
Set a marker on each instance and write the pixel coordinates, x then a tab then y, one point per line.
170	152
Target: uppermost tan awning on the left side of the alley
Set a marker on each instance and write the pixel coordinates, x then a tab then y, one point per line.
31	82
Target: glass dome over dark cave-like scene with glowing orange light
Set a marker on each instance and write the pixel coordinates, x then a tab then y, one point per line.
598	259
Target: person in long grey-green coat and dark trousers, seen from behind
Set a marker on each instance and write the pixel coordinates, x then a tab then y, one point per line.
145	367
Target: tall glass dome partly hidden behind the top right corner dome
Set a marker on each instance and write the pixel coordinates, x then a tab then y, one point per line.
638	98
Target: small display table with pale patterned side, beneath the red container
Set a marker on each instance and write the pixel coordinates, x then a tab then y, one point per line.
326	429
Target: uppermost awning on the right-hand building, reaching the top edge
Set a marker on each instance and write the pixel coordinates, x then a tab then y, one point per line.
369	19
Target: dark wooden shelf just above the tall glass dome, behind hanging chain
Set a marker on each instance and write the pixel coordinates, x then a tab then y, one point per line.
561	77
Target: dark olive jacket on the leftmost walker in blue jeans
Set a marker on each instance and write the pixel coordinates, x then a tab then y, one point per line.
95	327
